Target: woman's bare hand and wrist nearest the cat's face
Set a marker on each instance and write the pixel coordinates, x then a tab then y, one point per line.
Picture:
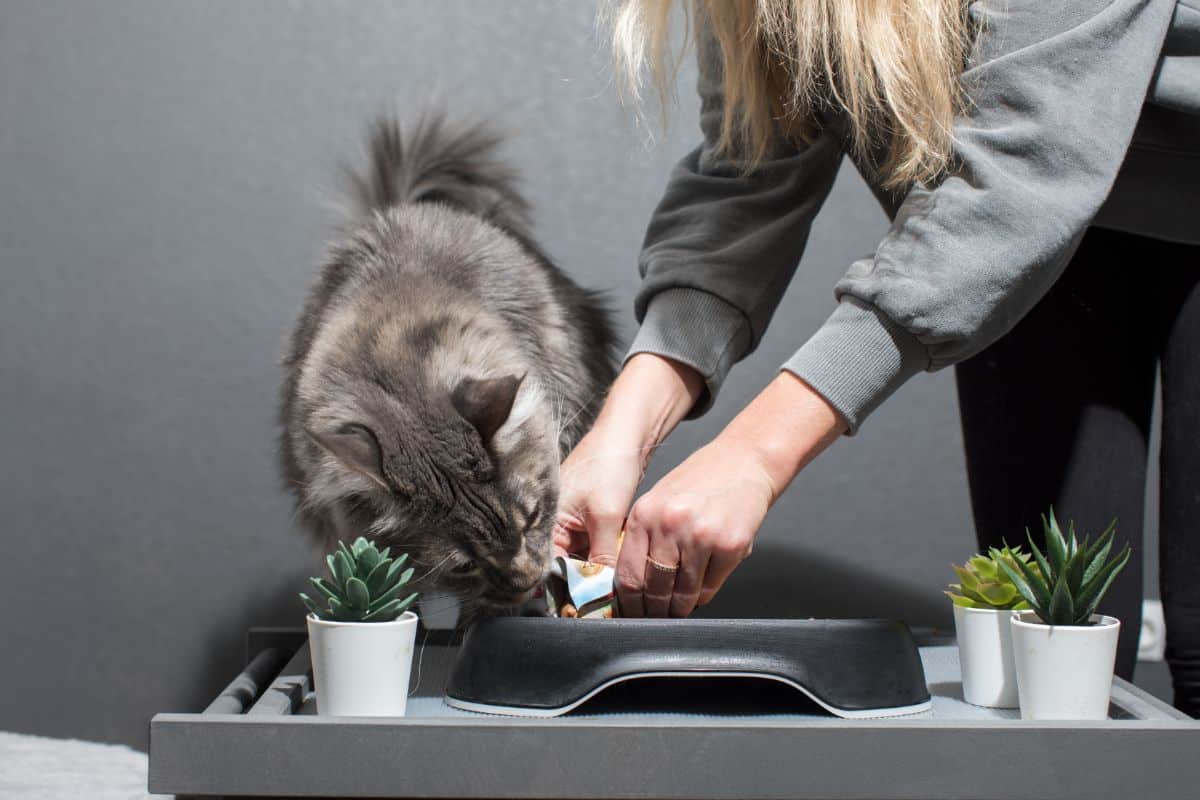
599	478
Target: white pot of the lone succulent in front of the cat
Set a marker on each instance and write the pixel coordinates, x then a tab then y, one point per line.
363	669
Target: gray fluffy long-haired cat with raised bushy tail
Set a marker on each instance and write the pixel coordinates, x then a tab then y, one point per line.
441	369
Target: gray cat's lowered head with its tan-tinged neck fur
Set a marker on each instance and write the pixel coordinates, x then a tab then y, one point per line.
430	435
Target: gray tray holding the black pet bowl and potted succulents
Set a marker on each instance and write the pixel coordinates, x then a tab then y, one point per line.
693	738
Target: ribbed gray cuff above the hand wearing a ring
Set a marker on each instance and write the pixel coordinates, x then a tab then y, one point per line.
857	359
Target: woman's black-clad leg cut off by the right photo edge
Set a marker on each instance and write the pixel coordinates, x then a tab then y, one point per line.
1180	470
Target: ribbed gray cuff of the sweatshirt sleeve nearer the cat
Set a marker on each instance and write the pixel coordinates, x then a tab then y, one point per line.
698	329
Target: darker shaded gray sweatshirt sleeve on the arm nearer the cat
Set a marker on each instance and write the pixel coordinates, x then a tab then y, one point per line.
722	246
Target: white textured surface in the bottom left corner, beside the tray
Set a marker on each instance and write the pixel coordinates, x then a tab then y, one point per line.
37	768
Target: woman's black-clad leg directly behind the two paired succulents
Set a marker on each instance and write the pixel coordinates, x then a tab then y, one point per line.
1058	413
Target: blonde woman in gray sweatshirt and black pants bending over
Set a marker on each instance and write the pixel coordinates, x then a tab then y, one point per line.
1040	163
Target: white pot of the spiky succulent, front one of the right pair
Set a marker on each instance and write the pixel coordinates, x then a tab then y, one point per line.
1065	672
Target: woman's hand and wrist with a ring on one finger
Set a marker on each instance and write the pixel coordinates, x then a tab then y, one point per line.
687	536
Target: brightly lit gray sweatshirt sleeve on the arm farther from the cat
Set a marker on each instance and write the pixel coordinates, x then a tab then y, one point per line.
1055	94
